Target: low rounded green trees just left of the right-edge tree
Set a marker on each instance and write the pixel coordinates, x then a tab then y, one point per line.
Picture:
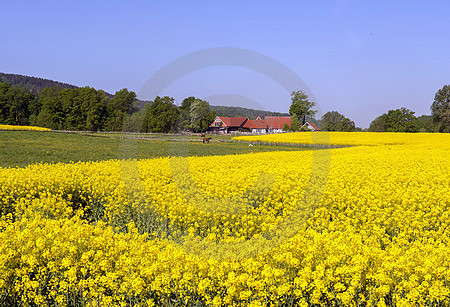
399	120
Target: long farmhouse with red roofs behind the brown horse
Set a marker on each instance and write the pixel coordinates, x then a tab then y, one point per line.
260	125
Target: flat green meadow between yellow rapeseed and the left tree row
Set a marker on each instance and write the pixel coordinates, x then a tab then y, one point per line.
21	148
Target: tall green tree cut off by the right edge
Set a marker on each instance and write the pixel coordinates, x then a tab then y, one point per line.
440	109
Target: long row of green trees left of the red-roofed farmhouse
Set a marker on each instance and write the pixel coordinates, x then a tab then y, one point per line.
88	109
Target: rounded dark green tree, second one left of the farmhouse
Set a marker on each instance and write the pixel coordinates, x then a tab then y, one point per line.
161	116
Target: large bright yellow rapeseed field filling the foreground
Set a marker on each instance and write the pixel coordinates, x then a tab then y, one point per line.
362	225
